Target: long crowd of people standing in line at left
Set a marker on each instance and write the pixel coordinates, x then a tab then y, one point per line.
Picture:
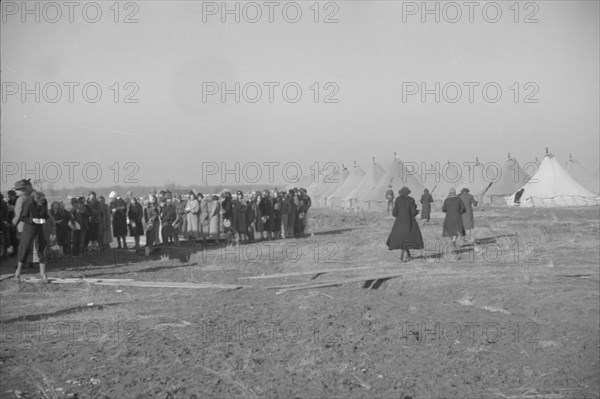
29	225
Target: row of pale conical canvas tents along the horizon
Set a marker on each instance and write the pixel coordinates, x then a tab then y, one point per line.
550	184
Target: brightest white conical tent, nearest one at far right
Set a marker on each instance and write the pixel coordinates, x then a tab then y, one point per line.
552	186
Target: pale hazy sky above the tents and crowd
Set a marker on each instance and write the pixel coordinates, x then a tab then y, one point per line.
369	57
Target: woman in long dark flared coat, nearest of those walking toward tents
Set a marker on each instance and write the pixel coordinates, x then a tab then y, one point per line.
405	234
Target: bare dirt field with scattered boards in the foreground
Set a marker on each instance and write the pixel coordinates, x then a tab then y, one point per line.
514	315
